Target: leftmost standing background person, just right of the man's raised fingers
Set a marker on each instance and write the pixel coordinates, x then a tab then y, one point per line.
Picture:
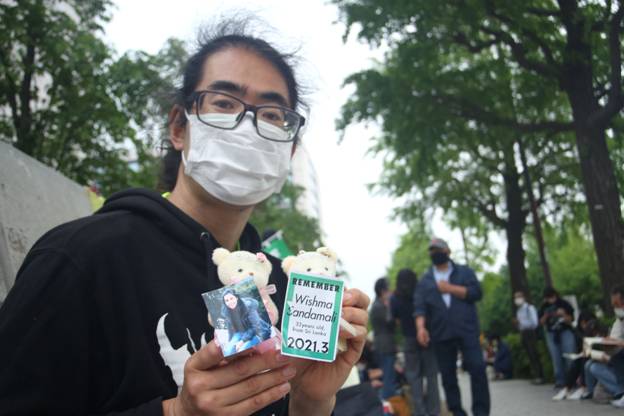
383	342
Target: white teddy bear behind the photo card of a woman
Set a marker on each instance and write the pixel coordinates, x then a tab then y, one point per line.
232	267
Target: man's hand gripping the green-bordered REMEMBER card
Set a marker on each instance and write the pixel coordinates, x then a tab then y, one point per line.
315	386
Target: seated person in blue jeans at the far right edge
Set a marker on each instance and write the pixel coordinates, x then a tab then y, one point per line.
599	368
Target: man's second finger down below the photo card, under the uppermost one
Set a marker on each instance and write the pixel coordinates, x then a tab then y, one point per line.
254	385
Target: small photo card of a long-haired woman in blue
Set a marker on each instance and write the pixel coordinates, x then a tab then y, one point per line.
239	317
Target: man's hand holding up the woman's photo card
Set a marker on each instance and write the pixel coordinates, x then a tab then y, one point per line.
213	386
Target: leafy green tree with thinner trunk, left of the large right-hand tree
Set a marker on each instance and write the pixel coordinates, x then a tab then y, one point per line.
436	157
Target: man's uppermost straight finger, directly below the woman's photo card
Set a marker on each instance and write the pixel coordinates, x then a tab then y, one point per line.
245	367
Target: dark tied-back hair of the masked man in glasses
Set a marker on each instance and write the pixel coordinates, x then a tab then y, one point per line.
232	32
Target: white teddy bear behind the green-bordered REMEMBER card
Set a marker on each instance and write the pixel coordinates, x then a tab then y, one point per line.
320	262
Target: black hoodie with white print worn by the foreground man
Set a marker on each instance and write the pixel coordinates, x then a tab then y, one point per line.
106	309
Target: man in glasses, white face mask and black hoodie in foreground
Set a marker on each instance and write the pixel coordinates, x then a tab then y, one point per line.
106	315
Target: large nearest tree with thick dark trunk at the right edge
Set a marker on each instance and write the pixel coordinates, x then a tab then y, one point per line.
575	47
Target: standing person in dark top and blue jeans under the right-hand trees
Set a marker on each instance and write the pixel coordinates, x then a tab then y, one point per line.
556	316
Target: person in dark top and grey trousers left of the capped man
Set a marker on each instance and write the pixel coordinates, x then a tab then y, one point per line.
420	362
